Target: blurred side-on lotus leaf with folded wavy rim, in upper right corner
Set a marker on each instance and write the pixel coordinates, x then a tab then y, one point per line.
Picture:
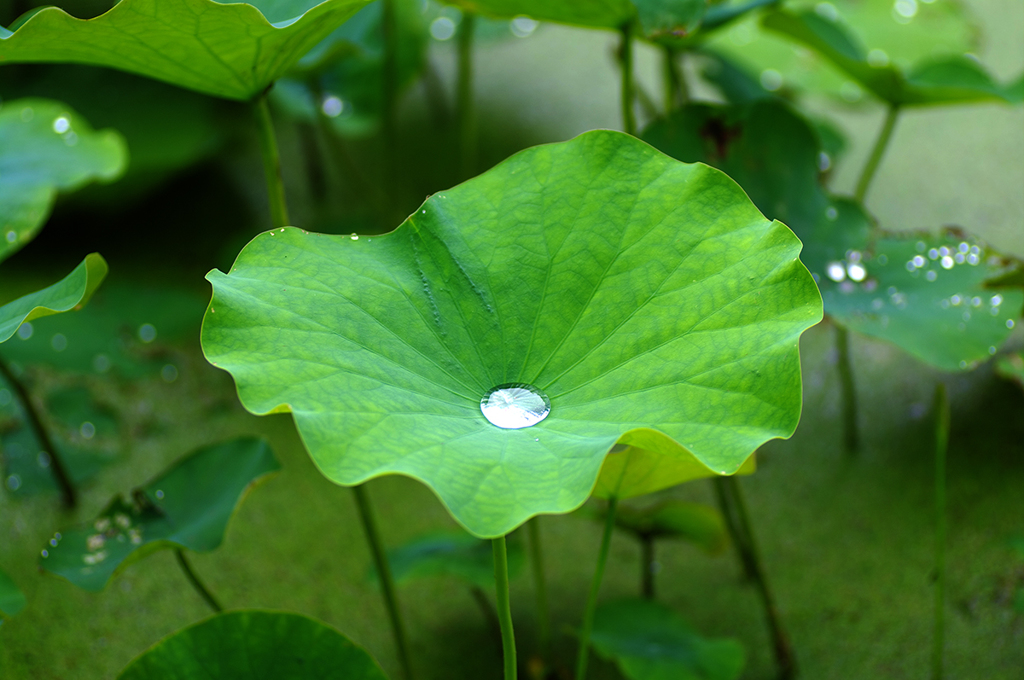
936	81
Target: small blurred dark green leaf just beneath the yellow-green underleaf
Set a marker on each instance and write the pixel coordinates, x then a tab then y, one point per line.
700	525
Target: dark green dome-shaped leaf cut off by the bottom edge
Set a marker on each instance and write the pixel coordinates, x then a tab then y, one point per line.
252	645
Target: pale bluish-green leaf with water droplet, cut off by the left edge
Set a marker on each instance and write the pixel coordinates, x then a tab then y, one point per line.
47	148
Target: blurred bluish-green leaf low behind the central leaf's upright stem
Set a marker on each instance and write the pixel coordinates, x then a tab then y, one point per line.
451	554
